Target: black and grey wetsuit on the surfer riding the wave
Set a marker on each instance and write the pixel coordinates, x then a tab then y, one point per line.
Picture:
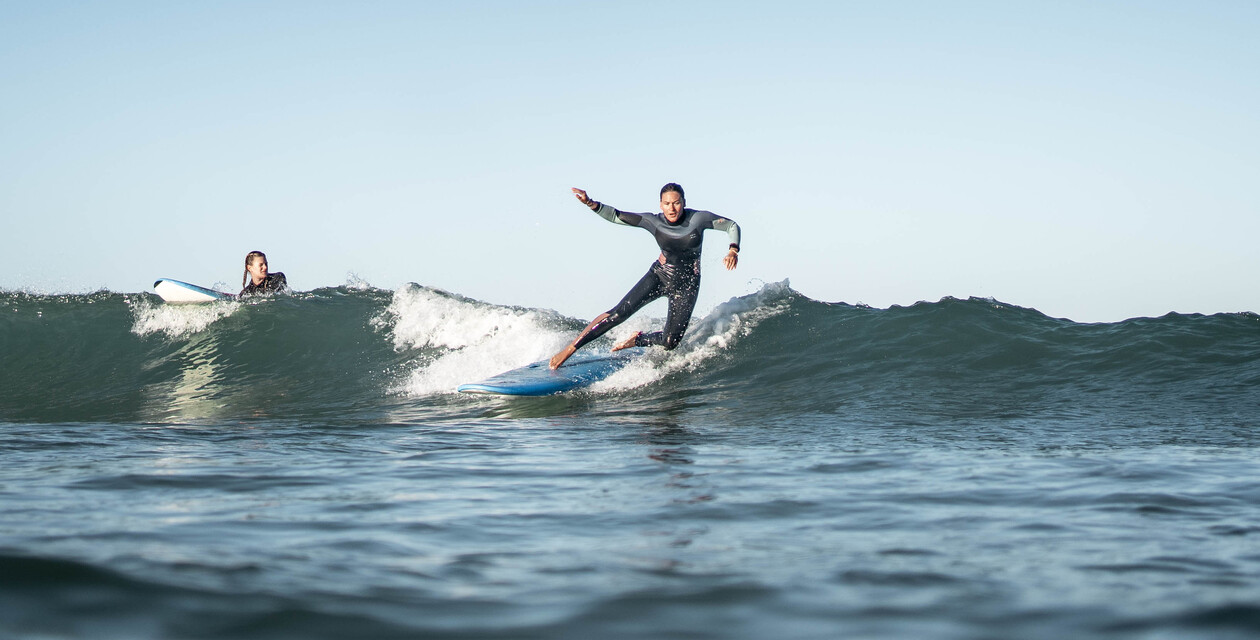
677	278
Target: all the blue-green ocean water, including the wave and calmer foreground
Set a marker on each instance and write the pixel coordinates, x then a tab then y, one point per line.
301	467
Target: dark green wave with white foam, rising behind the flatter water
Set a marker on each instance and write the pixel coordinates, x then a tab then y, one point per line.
360	351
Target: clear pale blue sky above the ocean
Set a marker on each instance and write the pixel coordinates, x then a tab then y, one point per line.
1094	161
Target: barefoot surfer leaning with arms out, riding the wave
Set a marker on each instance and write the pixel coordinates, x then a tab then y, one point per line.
680	234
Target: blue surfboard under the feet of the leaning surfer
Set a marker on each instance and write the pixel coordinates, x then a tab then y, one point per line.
540	380
